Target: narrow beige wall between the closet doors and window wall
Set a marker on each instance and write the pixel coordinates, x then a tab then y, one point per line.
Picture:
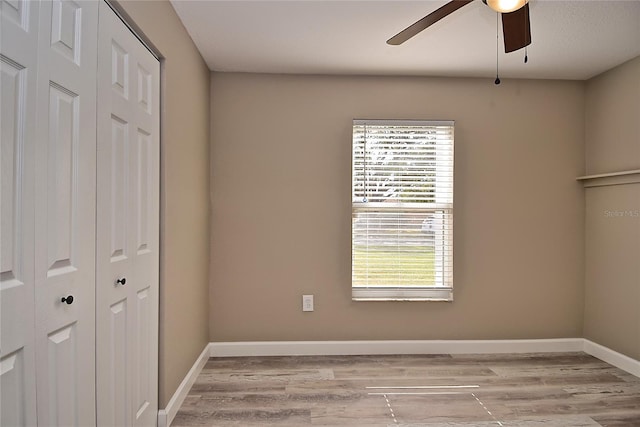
184	195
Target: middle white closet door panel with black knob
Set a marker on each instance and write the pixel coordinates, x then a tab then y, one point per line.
65	187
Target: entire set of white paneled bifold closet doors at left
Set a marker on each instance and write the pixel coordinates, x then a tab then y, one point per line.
79	217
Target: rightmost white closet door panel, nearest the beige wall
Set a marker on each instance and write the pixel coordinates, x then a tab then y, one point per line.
127	227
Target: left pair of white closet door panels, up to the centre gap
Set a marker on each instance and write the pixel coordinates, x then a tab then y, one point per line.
48	212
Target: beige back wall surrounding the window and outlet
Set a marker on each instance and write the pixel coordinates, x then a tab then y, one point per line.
281	198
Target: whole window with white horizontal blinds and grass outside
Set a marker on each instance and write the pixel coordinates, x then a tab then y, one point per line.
402	210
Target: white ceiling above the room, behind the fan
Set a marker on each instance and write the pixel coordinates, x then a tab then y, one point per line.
571	39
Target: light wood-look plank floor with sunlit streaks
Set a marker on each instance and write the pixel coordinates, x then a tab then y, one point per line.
562	390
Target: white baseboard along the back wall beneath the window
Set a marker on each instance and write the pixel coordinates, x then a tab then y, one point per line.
333	348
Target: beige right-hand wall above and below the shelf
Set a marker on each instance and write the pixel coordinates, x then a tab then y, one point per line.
612	255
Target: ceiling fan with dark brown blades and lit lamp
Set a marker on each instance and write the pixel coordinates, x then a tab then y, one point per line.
515	22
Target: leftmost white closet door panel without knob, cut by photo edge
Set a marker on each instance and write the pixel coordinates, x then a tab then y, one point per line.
18	72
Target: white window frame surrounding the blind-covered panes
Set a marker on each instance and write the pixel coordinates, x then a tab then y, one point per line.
442	290
